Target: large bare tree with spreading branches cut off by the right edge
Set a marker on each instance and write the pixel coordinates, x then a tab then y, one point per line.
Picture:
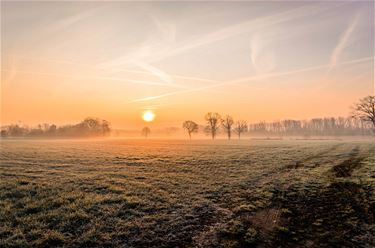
365	110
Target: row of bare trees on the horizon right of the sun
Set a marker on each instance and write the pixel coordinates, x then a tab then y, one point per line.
361	122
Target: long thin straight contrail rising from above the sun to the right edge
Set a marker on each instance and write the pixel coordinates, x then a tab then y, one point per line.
247	79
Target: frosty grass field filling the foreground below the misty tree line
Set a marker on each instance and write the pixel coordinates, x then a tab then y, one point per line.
154	193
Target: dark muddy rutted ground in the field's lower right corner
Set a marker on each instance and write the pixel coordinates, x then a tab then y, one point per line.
337	214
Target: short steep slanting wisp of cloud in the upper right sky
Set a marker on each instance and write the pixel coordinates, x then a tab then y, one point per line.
343	42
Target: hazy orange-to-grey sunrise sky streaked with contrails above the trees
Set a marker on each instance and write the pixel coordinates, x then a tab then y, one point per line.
64	61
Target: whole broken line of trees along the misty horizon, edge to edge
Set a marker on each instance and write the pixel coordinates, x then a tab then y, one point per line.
360	122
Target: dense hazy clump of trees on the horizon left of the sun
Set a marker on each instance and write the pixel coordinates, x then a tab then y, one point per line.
89	127
